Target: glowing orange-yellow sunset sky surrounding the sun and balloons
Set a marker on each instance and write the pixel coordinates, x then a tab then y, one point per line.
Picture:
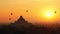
36	8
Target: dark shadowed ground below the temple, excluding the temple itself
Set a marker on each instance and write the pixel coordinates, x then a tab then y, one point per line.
22	29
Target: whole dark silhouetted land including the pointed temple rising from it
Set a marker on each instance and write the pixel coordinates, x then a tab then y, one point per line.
21	26
